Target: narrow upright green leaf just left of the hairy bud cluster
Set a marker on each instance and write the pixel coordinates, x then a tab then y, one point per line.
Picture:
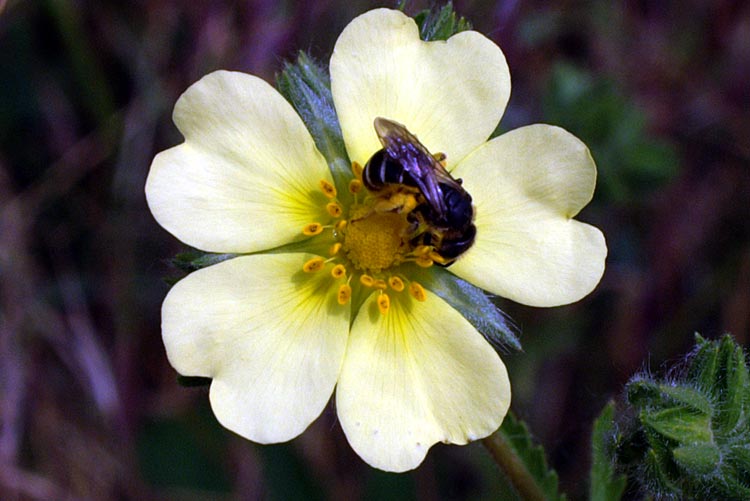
606	484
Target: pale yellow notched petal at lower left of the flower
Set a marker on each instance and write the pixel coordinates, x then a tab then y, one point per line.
271	337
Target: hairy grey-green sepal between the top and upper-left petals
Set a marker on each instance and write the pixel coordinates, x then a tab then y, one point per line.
307	86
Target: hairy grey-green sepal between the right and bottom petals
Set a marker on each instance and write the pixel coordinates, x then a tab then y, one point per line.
473	303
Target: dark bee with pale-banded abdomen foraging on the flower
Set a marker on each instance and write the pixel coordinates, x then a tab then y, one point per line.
441	207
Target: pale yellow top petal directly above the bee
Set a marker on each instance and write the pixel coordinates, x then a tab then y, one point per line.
450	94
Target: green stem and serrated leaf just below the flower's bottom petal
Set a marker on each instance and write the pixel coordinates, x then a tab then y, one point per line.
523	461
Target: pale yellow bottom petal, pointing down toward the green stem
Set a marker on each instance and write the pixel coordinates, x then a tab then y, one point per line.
418	375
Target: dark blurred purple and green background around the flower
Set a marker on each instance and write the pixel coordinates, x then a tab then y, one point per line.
89	406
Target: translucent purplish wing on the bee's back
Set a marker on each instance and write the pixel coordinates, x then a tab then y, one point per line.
404	147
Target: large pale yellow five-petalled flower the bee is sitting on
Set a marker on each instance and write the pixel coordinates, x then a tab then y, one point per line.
323	293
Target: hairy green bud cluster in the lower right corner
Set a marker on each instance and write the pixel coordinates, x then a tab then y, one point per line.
691	434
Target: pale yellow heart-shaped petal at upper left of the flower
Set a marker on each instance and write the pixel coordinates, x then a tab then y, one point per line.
246	178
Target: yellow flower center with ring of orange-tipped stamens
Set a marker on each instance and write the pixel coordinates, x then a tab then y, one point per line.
369	240
